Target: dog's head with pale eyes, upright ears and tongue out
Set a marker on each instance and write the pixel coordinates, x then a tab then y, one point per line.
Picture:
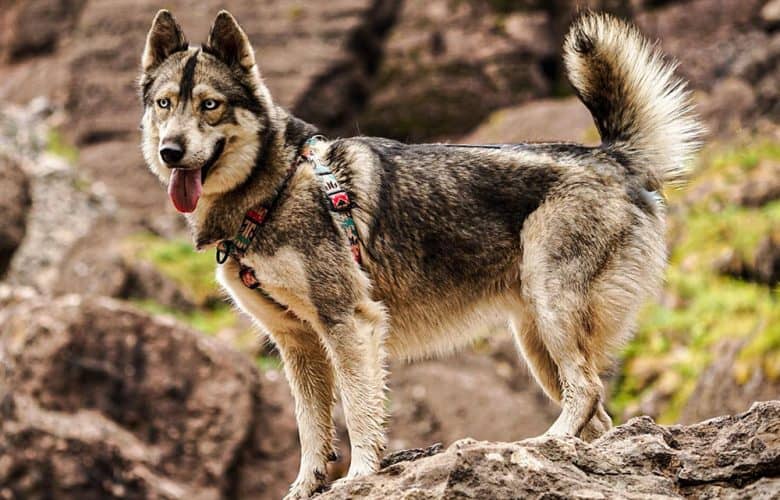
205	109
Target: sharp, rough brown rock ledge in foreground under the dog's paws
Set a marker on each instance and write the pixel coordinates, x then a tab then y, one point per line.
727	457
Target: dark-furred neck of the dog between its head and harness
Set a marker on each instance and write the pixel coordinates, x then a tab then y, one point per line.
280	147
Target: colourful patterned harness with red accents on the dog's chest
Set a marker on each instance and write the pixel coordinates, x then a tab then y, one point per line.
339	204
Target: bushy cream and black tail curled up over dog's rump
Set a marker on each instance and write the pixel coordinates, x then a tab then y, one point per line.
642	110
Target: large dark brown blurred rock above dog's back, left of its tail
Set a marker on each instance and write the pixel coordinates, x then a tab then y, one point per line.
447	66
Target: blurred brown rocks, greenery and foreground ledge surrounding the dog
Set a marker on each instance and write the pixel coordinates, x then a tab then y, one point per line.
124	374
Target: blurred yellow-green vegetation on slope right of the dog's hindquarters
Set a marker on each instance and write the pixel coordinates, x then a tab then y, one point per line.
701	306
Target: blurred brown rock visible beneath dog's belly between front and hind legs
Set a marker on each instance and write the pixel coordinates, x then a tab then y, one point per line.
488	395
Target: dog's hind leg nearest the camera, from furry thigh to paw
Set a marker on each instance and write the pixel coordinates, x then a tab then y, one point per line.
585	273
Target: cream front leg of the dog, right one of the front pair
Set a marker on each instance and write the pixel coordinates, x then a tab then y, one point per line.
355	345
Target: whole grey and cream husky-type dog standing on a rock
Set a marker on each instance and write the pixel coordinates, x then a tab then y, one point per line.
564	241
